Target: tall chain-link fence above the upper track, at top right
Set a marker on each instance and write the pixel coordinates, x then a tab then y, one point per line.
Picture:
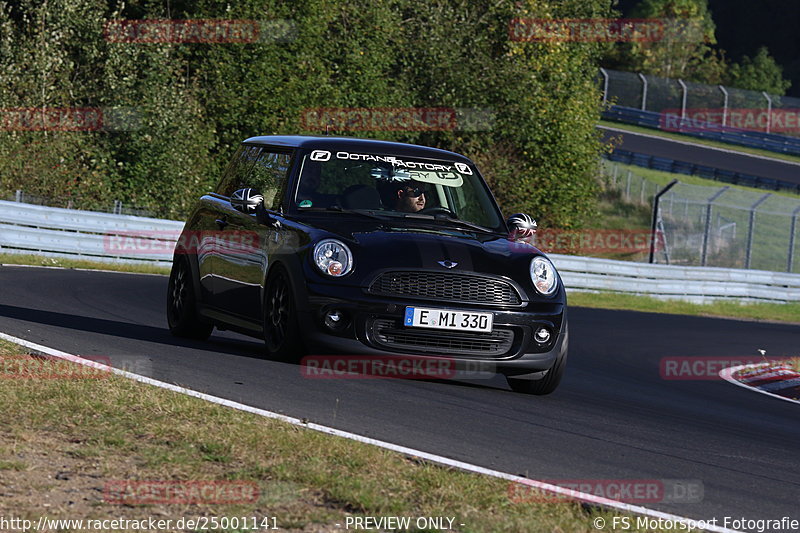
706	105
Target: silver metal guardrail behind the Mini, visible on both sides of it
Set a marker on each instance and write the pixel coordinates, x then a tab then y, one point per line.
56	232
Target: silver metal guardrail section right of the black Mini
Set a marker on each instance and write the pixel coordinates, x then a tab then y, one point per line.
694	284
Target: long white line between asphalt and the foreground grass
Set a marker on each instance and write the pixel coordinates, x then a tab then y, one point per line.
445	461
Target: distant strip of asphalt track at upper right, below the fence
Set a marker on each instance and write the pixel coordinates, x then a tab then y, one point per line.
705	155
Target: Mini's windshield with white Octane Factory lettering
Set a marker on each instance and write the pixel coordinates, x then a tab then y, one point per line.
396	186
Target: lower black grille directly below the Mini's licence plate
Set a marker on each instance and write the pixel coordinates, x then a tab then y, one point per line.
494	344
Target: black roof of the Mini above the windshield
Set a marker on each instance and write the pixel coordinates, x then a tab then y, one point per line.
354	144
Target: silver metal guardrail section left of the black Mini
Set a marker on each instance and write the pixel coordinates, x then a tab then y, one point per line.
68	233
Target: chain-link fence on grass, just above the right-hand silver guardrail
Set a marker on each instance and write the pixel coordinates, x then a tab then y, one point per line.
717	226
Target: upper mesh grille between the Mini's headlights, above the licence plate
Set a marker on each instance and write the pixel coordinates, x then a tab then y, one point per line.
446	287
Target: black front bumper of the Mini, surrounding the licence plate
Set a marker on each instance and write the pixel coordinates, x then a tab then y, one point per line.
373	325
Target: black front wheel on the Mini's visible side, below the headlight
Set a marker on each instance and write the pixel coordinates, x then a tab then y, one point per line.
281	332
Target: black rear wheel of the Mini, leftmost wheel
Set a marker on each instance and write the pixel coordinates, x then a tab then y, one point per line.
182	316
